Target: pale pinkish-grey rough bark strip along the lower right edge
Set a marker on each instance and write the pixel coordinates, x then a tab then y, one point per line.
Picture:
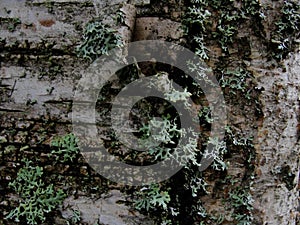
278	145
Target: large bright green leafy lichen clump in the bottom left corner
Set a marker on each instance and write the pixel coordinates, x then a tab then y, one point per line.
37	198
